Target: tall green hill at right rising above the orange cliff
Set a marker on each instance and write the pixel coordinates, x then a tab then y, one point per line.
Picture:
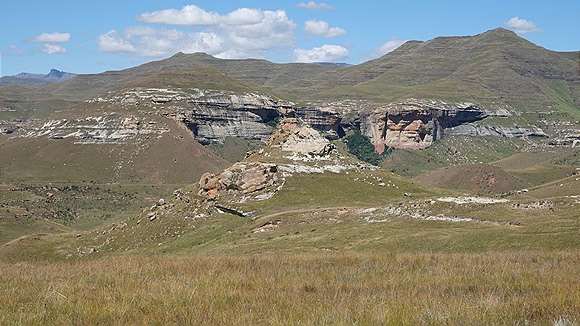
482	69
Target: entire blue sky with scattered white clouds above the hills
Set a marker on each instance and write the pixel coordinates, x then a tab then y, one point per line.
95	36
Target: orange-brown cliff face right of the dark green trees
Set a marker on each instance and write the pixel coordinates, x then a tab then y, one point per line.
416	123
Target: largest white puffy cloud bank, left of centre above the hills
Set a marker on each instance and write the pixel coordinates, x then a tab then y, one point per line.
241	33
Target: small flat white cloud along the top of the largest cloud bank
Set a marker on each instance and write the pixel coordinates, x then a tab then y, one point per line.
188	15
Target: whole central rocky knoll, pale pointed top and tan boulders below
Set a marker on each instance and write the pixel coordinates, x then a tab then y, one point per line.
295	147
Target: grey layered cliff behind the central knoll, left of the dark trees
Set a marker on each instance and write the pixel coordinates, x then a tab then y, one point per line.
213	115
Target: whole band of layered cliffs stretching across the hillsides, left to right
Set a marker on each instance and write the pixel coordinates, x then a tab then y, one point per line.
214	115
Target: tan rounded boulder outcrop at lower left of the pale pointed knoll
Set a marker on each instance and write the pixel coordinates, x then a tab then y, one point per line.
243	178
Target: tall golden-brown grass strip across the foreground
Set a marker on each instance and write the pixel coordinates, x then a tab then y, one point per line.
498	288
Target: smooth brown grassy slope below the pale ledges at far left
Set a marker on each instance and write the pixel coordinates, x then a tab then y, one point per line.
172	158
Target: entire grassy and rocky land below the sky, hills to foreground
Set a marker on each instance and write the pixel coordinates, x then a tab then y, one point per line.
438	184
